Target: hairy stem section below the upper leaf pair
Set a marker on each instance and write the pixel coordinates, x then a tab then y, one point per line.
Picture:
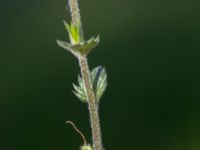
92	104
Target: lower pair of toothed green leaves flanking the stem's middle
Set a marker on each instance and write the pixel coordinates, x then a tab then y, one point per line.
99	84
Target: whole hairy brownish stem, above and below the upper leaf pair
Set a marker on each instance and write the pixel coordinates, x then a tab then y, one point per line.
85	72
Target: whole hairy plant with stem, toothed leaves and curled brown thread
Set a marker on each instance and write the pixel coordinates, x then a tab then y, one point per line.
91	84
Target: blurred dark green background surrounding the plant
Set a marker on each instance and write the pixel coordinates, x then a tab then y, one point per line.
151	50
